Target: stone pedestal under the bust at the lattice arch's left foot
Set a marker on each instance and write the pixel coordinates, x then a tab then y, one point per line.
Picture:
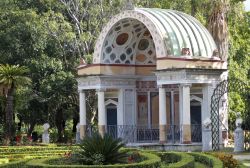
207	139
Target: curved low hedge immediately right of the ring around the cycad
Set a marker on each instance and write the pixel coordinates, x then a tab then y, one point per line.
176	160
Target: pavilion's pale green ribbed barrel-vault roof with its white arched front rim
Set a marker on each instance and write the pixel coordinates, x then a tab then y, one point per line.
174	33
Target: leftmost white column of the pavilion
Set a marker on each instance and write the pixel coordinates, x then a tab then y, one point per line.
82	100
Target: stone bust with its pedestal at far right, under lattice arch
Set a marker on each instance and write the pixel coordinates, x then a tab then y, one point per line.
238	135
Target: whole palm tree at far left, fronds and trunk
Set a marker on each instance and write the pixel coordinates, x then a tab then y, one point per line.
11	77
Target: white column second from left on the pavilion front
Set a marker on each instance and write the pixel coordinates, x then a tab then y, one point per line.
102	117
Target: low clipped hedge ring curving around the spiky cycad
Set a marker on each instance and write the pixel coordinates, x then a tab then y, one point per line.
152	161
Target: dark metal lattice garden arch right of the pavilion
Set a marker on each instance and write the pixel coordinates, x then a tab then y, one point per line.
226	86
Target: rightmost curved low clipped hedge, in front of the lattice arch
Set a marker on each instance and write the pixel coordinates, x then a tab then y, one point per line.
207	160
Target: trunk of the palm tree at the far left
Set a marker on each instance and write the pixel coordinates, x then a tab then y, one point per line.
9	128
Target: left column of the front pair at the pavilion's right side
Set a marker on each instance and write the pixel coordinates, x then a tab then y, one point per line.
162	114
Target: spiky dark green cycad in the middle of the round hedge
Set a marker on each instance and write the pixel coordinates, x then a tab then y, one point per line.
101	150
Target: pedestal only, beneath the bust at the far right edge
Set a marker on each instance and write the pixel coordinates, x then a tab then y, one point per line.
238	140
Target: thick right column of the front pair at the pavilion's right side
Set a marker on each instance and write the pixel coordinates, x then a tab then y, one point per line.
185	123
